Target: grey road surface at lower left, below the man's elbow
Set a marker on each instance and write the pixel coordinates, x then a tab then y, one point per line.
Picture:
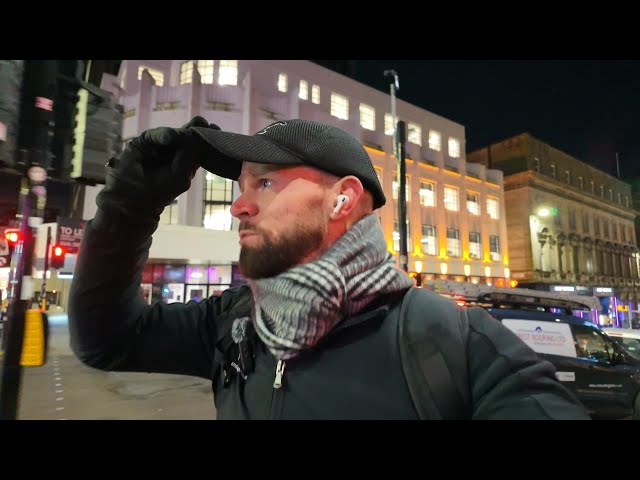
65	389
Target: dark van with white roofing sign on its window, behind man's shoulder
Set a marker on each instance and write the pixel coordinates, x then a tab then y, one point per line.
602	374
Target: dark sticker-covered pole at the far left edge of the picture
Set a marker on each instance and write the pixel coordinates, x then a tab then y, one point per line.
38	92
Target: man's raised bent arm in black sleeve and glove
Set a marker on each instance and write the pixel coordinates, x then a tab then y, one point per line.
110	327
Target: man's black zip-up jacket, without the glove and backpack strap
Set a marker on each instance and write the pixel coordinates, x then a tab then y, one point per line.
354	373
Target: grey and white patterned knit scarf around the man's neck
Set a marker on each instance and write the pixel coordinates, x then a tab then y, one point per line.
295	309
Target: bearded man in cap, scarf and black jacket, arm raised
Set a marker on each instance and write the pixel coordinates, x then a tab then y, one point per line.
314	334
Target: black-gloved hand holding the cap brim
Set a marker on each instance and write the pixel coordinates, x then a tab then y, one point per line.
152	171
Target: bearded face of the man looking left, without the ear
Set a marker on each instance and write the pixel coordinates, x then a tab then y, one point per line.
283	215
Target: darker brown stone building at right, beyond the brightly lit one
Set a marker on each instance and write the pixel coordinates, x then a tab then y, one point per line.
570	226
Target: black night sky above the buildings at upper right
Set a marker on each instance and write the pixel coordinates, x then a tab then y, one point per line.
590	109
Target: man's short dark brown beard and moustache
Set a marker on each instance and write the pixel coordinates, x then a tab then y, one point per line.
275	256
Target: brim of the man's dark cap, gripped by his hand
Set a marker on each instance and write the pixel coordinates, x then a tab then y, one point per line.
231	149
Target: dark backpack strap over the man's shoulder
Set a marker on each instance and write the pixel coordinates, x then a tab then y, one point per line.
433	332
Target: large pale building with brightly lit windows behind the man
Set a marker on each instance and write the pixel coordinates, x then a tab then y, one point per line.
455	210
